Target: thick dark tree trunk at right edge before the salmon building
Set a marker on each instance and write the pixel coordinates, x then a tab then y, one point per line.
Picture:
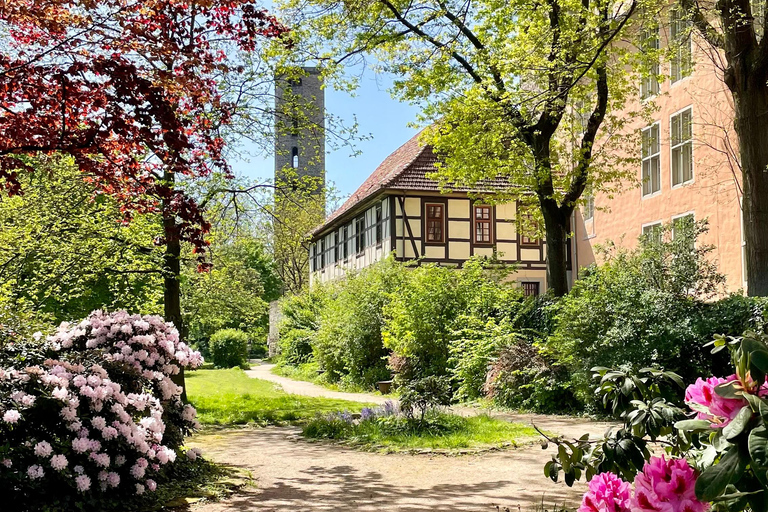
751	105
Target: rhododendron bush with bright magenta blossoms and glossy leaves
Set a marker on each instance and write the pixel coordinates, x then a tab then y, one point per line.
718	444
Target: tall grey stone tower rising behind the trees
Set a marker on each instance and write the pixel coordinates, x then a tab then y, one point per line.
299	129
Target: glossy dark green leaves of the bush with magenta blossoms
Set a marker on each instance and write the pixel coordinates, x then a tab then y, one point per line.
725	442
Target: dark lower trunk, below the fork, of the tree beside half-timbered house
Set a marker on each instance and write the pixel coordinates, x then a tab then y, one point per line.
556	228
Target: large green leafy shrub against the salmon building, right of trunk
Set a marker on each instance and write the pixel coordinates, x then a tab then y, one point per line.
641	308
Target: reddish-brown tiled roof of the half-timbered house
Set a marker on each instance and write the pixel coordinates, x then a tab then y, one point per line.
405	169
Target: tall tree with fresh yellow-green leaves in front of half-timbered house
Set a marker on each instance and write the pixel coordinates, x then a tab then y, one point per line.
516	88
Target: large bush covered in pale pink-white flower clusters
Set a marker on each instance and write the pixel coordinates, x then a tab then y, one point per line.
111	432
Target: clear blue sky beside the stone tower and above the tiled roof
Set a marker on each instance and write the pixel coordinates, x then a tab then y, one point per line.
378	115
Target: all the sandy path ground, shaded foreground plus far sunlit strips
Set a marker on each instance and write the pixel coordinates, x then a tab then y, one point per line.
292	474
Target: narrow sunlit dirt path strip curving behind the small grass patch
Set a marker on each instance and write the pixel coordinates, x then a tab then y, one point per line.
562	425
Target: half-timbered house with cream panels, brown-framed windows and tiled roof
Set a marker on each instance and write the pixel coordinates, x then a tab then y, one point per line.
399	210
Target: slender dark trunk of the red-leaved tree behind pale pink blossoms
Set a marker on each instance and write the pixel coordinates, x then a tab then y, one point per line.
172	283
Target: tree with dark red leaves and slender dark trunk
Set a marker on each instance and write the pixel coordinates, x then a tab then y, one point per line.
129	89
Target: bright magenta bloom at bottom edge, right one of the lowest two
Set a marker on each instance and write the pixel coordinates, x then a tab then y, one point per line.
666	486
